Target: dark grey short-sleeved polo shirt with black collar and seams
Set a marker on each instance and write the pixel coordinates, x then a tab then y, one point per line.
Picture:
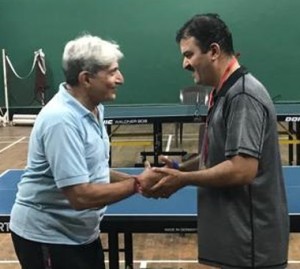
239	226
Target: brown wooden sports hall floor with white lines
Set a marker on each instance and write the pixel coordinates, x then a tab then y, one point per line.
152	251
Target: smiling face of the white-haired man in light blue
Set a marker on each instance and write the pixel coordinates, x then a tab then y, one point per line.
103	85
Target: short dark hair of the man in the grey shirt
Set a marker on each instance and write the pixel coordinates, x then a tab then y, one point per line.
207	29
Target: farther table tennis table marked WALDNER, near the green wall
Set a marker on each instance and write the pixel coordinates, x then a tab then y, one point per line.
158	114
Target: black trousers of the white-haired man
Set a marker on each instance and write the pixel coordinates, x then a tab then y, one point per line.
34	255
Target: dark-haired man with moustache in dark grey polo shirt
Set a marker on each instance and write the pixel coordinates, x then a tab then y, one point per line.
243	217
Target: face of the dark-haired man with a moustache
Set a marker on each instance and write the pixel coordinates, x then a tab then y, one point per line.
196	61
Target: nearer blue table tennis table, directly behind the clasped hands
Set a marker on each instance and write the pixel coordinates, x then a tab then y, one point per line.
141	215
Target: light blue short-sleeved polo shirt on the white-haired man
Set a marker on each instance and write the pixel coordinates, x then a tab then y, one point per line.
67	146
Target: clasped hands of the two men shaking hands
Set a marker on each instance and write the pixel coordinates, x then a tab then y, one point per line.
155	182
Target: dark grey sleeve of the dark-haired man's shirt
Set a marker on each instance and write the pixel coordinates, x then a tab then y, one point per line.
246	120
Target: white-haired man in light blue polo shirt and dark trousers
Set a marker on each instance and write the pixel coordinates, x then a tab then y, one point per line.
67	183
